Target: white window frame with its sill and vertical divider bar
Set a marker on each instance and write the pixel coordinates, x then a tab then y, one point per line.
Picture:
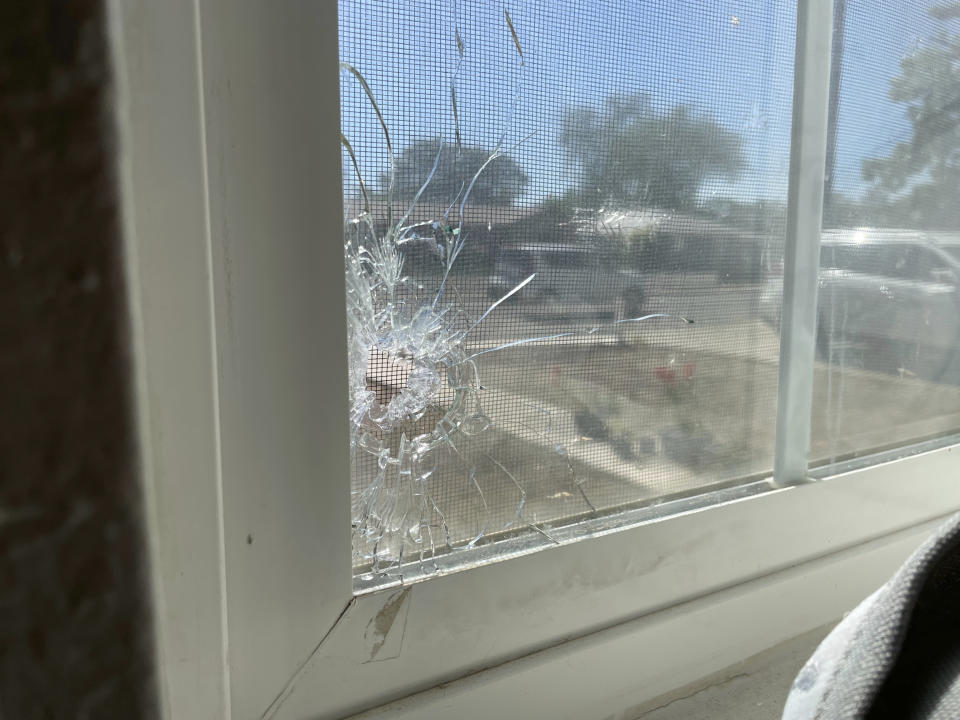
230	171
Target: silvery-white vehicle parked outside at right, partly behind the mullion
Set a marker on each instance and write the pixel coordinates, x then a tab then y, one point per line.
888	300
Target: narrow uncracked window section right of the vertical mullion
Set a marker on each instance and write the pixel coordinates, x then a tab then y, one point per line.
889	321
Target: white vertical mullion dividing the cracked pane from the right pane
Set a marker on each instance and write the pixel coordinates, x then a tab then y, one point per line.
808	151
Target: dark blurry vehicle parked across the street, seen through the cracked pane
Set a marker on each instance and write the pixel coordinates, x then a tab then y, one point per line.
572	281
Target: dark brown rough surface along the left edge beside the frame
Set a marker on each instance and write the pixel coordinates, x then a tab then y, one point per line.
74	607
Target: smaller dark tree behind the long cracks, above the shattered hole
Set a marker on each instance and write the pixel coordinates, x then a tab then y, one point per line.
500	183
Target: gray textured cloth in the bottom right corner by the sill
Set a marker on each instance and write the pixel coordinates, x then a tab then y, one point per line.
898	654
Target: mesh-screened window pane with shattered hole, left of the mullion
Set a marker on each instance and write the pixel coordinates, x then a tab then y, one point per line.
564	288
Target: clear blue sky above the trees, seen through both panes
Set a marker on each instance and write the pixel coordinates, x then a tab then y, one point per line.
733	60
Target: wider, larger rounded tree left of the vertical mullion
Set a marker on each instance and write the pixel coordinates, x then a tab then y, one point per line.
632	152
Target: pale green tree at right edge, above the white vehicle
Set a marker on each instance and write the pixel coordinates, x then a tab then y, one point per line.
919	181
